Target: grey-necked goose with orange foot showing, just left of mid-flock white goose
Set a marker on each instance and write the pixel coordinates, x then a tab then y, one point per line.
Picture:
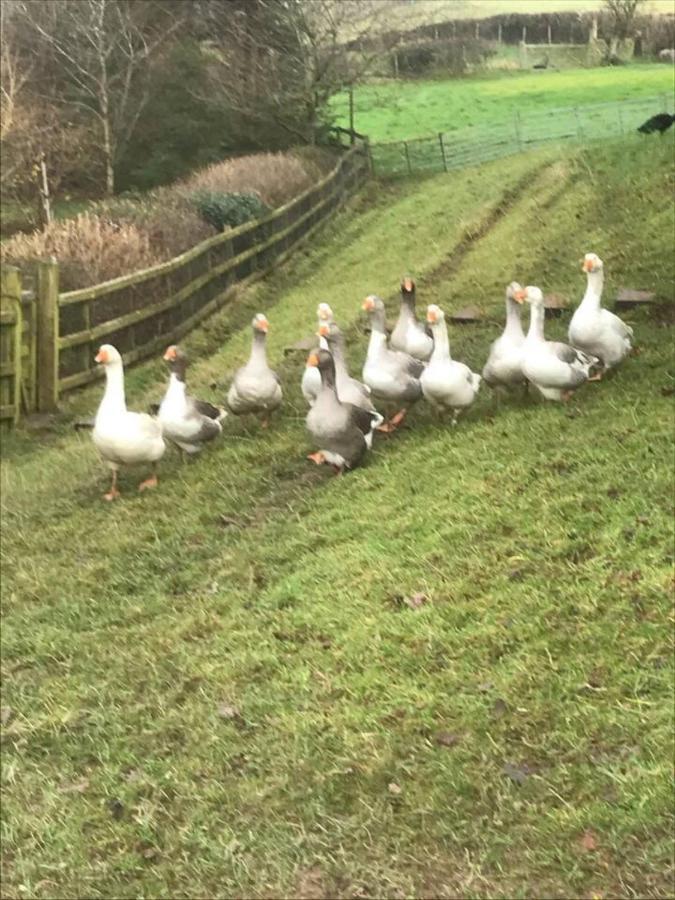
391	375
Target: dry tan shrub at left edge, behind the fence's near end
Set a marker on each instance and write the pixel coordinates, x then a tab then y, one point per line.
88	248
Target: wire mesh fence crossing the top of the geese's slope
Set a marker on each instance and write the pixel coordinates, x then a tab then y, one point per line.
482	143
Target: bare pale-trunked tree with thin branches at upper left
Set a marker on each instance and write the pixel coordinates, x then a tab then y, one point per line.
103	49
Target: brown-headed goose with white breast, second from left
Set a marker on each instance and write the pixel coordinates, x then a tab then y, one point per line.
188	422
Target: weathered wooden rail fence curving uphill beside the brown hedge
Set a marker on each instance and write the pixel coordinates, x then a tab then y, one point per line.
142	312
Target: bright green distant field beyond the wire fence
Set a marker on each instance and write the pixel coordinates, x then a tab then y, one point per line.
392	110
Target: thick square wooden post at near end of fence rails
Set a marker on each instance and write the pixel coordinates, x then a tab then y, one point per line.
48	335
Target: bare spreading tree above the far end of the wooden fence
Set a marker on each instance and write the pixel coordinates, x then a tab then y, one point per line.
278	62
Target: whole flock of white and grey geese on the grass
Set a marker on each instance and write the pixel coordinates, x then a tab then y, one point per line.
414	362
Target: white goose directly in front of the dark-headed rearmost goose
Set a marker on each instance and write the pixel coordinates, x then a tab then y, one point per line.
446	383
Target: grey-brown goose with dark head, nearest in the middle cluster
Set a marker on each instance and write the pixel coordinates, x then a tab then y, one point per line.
342	431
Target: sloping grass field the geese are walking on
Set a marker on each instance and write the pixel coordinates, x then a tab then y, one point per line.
540	534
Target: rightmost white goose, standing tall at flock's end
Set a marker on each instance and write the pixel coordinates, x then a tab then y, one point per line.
596	330
